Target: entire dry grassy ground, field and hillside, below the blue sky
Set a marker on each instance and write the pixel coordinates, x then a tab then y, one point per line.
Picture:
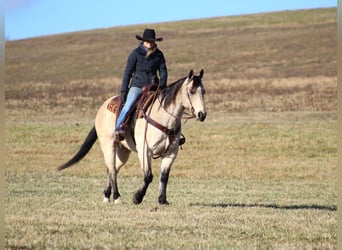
259	173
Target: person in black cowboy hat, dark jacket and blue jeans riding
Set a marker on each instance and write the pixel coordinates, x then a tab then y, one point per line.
141	70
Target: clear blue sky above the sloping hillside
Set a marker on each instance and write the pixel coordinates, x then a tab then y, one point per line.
32	18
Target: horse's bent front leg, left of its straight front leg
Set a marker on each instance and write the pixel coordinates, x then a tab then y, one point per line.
145	161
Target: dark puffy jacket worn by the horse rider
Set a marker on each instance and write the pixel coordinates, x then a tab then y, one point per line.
141	71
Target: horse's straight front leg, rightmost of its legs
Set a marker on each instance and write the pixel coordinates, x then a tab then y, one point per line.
164	178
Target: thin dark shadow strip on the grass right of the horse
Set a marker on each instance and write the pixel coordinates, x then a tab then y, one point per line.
273	206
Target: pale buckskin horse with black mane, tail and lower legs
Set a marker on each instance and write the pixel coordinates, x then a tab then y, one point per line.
155	135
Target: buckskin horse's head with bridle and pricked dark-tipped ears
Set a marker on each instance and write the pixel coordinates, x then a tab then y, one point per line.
194	95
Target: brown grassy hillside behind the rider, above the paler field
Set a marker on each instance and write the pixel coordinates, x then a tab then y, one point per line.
265	62
